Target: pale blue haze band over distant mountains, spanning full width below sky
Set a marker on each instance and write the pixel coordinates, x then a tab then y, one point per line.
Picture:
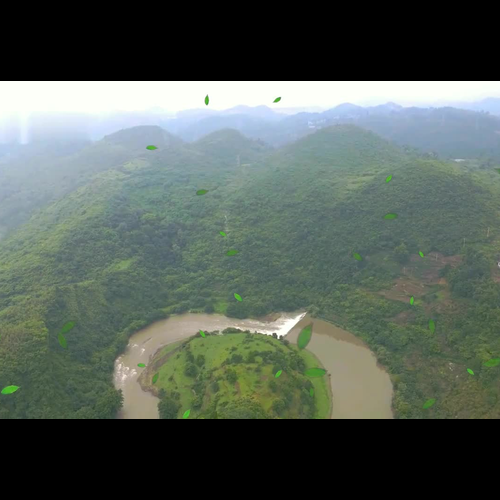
471	128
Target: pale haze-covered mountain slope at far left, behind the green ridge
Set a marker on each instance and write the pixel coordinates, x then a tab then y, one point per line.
35	175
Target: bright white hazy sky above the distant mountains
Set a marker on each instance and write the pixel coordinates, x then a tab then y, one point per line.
92	97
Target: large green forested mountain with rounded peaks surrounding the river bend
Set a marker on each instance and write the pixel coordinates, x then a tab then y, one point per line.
132	243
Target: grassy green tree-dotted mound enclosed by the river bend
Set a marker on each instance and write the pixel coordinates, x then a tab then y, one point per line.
233	376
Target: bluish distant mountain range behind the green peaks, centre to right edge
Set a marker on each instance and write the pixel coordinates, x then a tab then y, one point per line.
449	132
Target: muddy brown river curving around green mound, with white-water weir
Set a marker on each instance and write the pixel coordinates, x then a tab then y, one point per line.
361	389
